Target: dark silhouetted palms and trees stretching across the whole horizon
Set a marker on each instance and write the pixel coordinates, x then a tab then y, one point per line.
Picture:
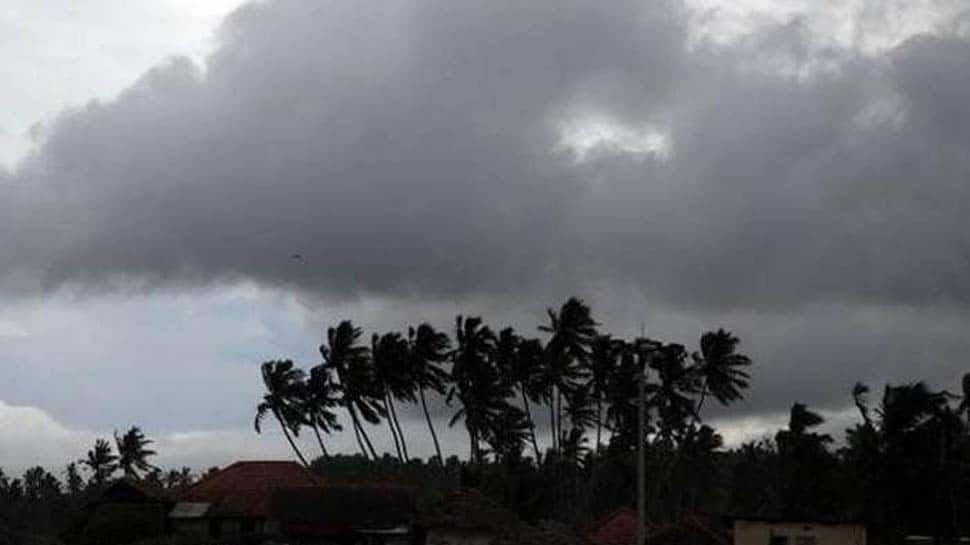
552	432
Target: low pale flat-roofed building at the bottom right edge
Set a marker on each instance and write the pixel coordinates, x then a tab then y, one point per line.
763	531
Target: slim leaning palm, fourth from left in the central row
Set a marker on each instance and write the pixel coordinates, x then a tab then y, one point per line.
389	353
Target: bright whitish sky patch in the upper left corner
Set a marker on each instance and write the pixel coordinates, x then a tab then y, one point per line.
59	54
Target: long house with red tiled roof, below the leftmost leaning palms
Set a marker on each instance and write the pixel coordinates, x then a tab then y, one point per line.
283	501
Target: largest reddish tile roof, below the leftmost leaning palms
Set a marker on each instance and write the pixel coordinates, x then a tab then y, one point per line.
244	488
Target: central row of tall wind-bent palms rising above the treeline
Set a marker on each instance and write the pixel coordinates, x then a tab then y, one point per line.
496	381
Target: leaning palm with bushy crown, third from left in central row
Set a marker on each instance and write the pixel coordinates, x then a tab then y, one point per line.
353	366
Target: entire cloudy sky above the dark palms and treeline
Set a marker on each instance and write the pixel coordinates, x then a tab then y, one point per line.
795	172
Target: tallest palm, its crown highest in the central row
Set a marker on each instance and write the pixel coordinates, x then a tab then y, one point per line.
572	330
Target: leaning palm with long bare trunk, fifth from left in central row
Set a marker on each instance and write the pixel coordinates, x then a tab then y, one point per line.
427	350
